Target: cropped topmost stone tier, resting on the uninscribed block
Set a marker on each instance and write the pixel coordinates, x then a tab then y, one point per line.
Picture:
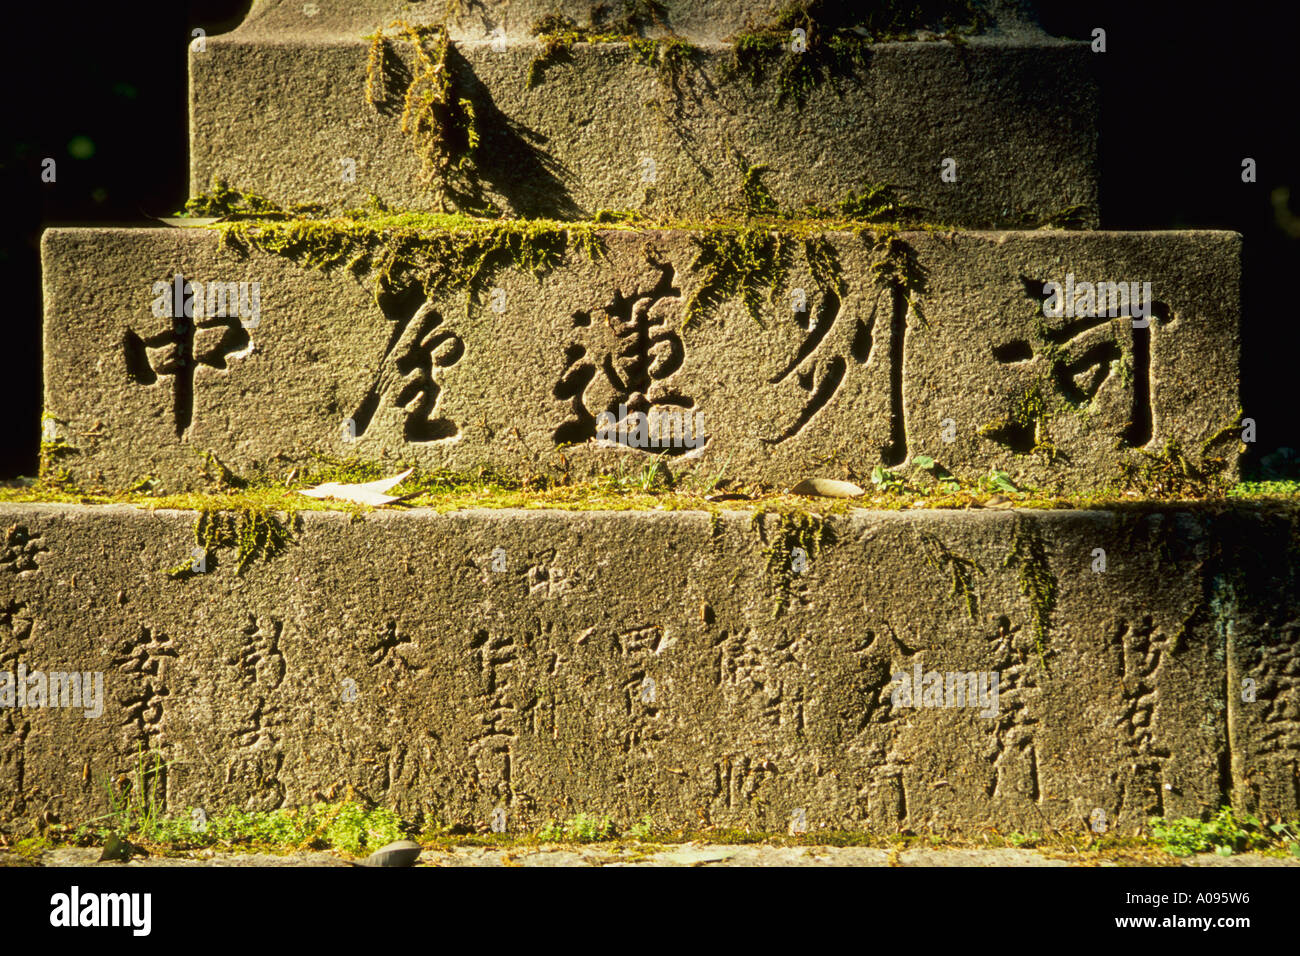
701	21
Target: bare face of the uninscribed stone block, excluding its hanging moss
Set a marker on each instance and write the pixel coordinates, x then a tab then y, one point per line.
1017	116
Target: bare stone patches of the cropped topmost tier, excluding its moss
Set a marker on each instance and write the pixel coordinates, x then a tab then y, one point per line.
697	20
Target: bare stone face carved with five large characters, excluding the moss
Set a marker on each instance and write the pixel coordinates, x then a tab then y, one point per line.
820	393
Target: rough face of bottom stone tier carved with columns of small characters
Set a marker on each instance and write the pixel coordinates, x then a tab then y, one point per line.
527	689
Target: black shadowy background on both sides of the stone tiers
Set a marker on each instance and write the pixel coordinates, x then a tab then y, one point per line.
1188	96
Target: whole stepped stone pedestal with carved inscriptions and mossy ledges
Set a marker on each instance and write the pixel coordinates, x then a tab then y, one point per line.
752	284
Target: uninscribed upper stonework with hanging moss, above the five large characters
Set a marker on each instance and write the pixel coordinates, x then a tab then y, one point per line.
994	127
